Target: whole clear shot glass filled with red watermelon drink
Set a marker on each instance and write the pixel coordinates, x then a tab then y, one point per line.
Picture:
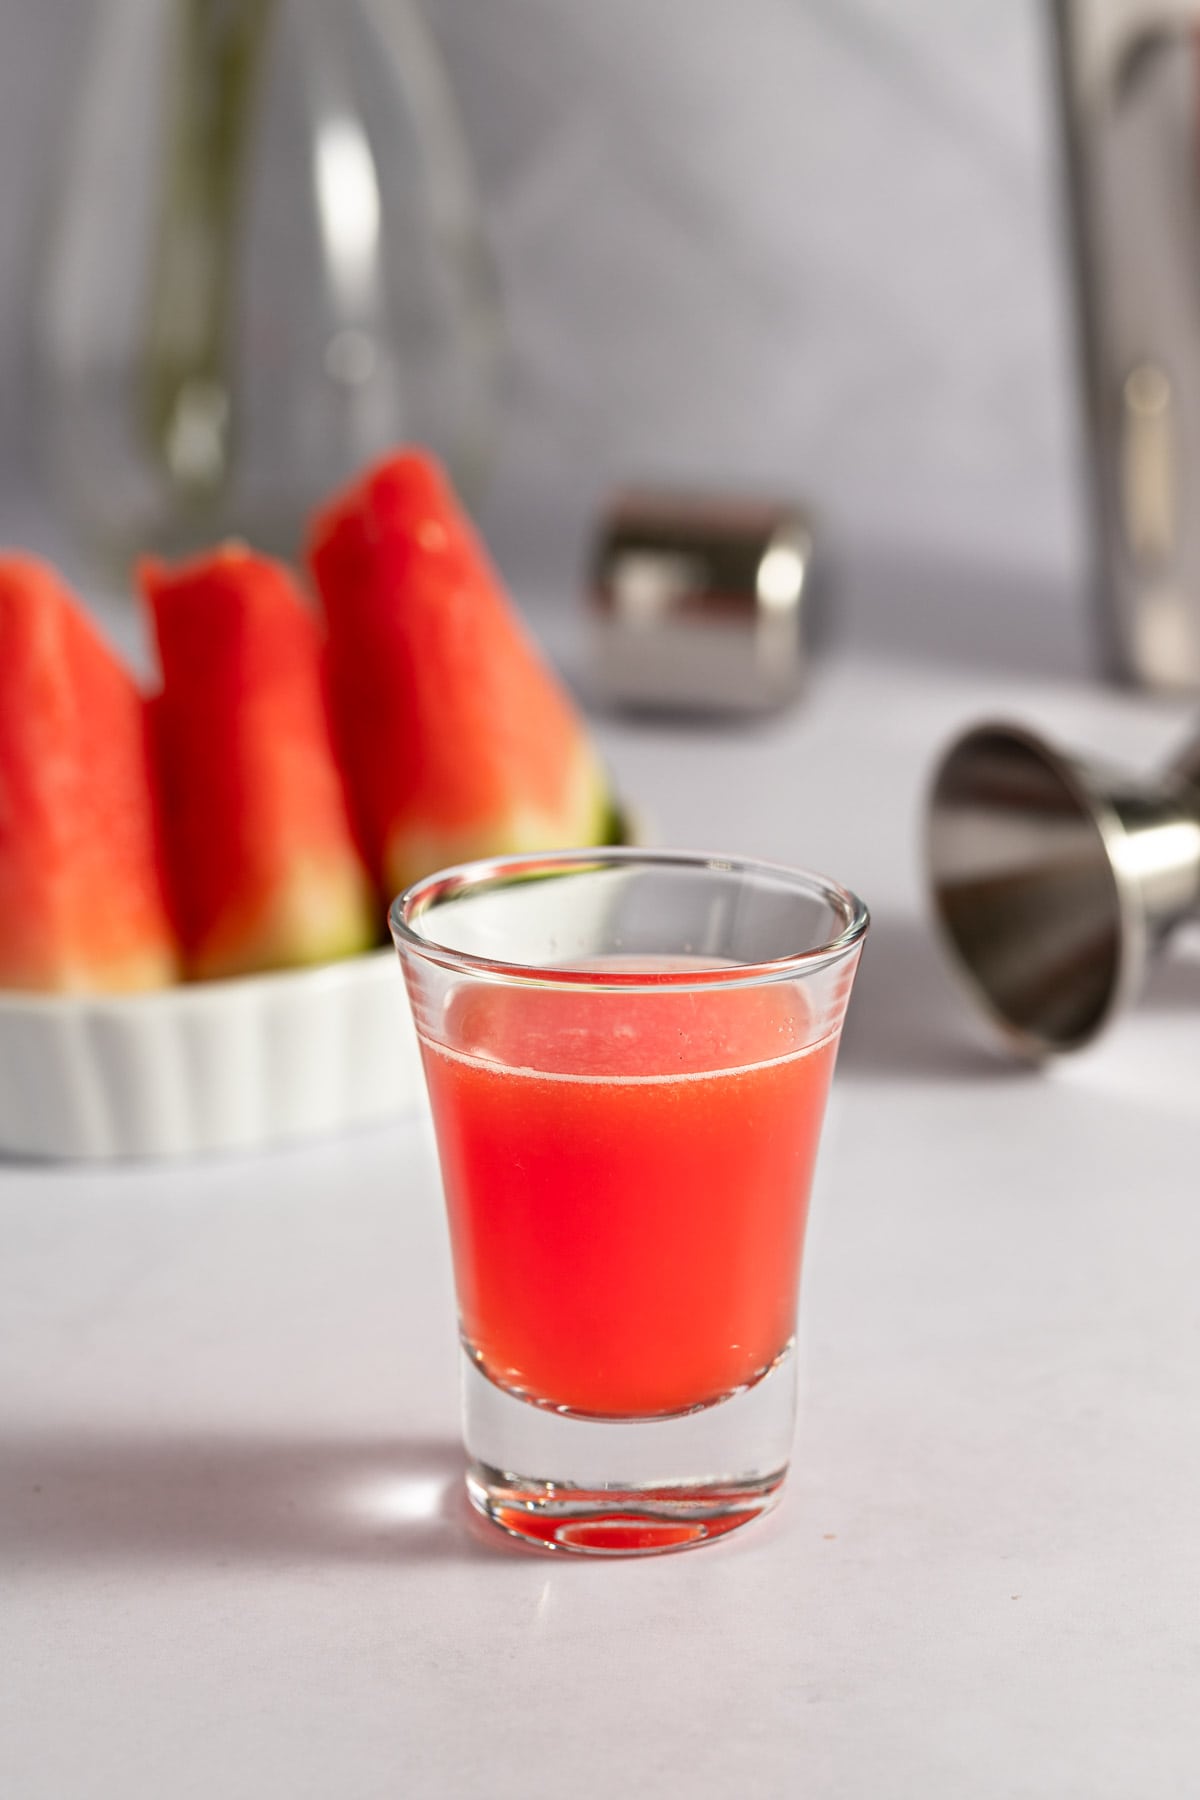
629	1057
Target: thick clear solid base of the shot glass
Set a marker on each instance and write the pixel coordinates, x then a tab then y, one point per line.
627	1486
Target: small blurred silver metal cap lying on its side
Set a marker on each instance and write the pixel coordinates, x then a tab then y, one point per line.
701	604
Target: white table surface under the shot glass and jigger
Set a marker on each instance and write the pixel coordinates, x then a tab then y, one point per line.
235	1554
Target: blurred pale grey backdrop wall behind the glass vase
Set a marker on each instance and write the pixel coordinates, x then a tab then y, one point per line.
803	244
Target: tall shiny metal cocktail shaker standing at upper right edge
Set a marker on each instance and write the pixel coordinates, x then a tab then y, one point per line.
1131	105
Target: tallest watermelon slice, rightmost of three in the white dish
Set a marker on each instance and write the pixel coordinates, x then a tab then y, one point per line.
456	739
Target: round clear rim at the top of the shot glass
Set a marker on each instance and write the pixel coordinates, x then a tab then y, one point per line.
497	872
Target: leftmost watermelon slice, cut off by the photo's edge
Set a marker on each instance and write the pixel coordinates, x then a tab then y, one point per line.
82	892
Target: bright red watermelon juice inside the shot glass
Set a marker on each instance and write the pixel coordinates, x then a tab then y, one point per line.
627	1183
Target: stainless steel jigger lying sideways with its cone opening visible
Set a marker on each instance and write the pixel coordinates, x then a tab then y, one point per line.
1055	881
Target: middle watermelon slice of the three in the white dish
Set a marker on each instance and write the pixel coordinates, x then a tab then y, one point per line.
260	847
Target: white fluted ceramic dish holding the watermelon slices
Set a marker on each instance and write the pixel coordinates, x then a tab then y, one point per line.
215	1066
